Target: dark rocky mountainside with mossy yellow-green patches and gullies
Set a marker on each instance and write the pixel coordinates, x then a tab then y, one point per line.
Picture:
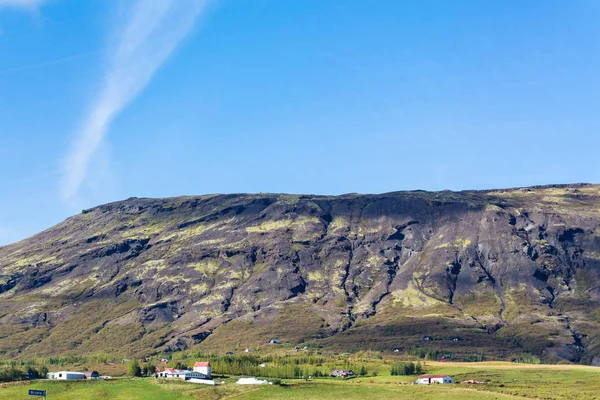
502	272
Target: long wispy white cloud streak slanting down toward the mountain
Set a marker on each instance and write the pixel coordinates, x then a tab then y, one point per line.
150	32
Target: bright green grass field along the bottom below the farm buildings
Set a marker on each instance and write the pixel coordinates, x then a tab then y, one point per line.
503	381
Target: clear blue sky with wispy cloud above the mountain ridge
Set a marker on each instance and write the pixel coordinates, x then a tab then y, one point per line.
103	100
